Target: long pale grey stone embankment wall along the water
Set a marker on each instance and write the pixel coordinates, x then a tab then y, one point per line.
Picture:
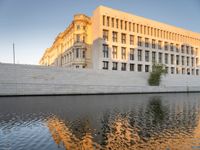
39	80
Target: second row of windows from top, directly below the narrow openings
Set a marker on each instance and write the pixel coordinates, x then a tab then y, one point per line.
150	43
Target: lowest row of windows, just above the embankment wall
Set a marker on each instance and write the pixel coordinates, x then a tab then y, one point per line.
139	68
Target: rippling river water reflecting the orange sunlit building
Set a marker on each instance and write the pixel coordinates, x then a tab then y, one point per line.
149	121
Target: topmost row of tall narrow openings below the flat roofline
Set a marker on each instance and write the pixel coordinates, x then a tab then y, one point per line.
143	29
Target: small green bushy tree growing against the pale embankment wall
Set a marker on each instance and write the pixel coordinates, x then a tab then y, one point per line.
155	75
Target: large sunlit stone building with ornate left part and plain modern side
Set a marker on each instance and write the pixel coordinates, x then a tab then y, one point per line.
116	40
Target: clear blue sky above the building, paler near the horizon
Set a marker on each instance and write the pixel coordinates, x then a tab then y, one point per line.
33	24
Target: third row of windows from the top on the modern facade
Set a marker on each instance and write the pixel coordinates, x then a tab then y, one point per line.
174	59
